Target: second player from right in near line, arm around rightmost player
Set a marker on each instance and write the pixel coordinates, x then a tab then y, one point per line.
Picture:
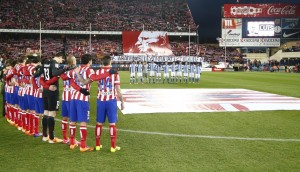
80	100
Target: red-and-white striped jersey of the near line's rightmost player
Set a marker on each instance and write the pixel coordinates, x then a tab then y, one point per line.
106	86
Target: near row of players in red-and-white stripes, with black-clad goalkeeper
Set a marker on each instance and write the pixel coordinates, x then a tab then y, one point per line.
32	88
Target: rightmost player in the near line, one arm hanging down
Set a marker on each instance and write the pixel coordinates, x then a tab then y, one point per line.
108	91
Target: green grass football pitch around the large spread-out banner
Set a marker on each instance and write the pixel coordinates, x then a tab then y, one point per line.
210	141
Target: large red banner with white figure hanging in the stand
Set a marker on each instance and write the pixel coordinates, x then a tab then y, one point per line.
146	43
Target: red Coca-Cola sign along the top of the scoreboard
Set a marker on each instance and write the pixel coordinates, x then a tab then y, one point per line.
261	10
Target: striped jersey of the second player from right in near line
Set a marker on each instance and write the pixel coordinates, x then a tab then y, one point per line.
85	72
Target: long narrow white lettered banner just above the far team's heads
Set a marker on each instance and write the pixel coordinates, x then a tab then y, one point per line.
157	58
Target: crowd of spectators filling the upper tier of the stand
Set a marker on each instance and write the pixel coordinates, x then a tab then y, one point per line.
104	15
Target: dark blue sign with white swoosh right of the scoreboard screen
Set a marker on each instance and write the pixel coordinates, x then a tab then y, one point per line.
291	28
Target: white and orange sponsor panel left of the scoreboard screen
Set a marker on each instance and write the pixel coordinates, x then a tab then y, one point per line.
231	28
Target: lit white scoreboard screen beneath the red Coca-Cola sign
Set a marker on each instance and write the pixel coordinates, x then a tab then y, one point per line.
261	27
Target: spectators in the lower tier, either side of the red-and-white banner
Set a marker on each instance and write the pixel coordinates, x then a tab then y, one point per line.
12	47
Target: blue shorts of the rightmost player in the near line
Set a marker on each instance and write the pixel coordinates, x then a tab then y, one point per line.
107	109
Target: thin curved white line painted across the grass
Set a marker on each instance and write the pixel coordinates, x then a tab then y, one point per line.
201	136
